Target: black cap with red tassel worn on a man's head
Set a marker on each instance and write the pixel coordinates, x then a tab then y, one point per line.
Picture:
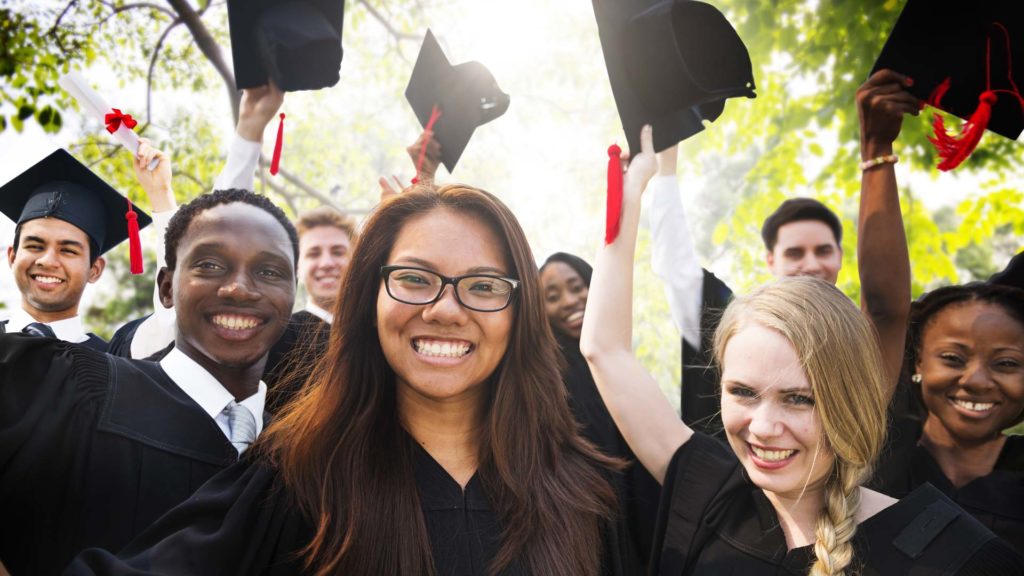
60	187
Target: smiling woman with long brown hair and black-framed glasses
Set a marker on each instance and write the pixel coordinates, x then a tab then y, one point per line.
434	438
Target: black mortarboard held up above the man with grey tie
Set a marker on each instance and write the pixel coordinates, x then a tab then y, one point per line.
297	44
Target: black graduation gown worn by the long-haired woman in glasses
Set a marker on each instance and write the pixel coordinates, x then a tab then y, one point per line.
244	522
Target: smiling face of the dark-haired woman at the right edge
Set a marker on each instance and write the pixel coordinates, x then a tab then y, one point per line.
972	368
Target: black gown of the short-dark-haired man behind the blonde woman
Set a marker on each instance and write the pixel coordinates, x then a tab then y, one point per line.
701	404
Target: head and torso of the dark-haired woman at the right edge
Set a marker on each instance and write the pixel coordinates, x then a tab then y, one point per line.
966	367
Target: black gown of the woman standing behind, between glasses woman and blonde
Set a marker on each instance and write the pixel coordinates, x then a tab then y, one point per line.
638	491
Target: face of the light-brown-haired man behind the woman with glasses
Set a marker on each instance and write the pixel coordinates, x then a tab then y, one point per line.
323	261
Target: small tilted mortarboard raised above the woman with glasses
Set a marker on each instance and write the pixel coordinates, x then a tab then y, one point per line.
466	95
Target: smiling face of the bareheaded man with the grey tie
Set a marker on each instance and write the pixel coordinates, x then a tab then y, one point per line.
233	287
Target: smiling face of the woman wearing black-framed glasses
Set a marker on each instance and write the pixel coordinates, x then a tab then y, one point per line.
444	352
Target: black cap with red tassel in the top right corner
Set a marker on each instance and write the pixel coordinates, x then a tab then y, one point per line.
964	59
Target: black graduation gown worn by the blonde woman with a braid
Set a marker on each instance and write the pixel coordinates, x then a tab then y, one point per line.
713	521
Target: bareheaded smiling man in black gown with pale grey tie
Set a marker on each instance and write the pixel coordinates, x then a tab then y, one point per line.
95	448
